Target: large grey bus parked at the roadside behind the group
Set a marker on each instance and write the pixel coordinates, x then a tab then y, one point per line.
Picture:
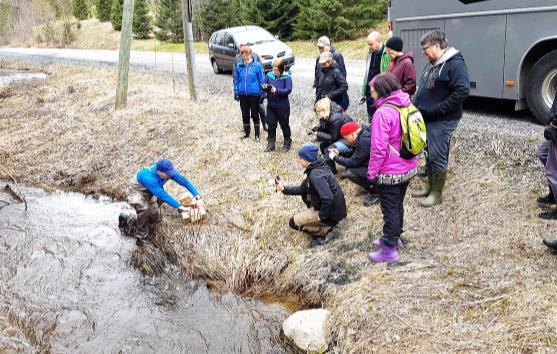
510	46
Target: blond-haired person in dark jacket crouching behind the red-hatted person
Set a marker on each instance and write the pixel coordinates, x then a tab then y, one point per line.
331	119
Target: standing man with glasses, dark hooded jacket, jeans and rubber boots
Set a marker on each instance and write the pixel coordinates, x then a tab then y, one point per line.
442	89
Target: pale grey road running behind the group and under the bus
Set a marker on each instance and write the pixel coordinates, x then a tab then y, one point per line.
494	116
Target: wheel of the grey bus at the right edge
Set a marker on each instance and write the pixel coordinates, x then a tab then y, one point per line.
542	86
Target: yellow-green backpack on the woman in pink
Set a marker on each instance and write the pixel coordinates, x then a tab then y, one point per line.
414	135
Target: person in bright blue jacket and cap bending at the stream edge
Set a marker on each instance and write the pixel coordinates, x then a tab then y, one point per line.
141	191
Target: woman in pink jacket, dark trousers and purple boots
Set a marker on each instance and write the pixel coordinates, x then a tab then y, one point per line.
387	170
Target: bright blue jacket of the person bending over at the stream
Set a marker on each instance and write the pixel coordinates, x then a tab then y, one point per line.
150	179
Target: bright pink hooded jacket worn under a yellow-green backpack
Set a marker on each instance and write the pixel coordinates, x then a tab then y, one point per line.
386	136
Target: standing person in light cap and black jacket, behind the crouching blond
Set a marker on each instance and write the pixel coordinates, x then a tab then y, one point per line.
331	82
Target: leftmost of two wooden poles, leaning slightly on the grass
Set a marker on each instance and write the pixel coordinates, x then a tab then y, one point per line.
124	58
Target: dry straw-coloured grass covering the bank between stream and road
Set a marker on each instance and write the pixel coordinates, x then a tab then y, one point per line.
473	275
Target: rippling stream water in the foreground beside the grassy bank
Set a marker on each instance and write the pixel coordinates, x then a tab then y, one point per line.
66	286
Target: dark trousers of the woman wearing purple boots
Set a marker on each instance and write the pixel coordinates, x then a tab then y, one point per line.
392	207
